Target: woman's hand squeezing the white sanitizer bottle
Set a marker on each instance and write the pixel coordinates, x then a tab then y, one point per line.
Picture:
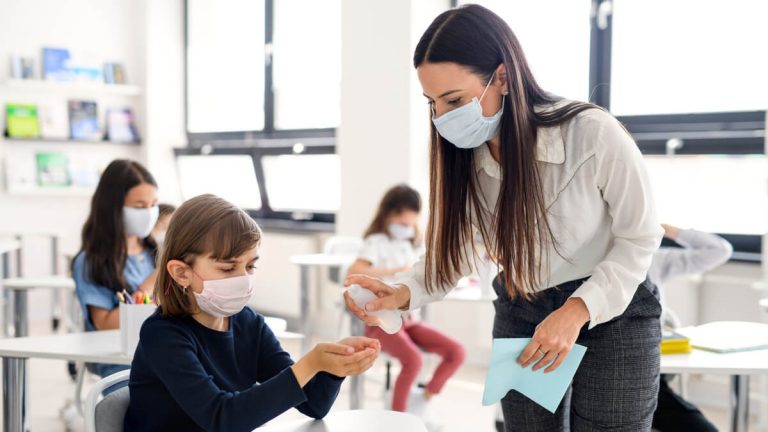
389	297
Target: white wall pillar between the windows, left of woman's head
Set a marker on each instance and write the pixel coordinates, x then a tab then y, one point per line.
383	135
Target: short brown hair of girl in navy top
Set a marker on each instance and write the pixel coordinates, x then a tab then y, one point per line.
202	225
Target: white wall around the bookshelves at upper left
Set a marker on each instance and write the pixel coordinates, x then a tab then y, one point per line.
111	30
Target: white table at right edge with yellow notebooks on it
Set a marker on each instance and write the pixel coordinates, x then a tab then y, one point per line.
738	365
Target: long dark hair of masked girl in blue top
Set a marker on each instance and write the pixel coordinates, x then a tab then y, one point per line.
103	235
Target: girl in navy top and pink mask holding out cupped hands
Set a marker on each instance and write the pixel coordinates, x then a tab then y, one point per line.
205	361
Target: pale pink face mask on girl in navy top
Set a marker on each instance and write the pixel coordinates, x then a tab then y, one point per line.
225	297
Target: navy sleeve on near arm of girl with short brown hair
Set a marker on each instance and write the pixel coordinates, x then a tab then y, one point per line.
195	391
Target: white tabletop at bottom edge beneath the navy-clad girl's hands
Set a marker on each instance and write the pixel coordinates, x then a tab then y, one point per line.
353	421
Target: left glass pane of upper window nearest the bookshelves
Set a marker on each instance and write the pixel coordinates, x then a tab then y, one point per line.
225	65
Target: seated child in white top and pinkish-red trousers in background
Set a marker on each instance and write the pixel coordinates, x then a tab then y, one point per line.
392	245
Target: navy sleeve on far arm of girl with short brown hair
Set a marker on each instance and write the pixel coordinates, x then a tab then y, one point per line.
321	391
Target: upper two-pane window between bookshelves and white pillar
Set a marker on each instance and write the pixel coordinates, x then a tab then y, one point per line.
261	70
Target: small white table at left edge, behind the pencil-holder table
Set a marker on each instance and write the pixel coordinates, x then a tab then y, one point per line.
22	285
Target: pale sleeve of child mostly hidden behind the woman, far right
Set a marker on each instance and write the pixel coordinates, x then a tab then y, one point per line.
700	252
